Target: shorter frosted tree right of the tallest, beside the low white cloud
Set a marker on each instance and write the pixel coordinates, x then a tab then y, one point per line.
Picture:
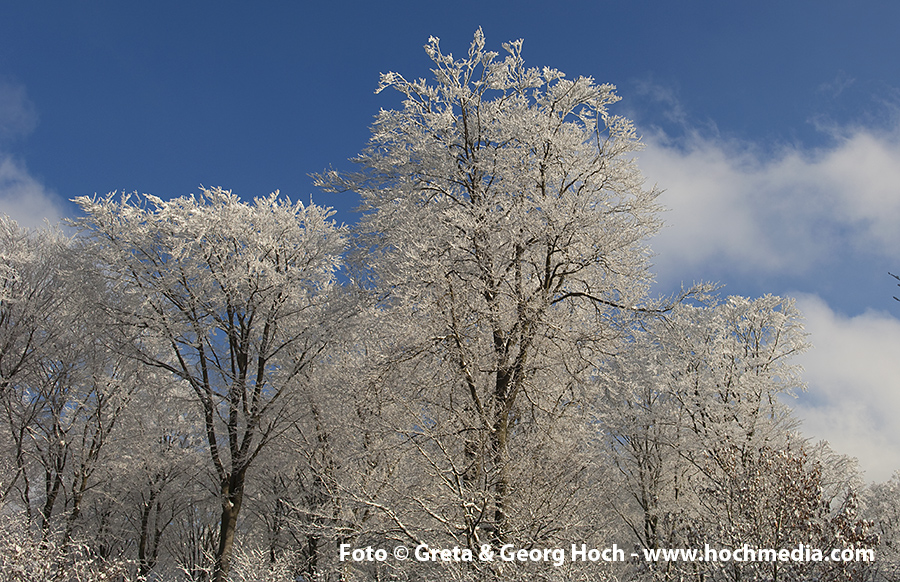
692	390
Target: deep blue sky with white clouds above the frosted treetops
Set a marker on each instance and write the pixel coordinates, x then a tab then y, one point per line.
773	126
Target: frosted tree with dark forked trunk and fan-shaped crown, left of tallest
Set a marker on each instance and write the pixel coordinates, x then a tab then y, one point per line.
231	298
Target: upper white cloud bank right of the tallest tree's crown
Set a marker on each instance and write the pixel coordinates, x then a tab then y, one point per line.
732	206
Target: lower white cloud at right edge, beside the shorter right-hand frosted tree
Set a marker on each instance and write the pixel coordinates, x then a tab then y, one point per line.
853	374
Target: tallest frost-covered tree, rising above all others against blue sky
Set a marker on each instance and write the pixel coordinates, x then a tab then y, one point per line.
504	231
